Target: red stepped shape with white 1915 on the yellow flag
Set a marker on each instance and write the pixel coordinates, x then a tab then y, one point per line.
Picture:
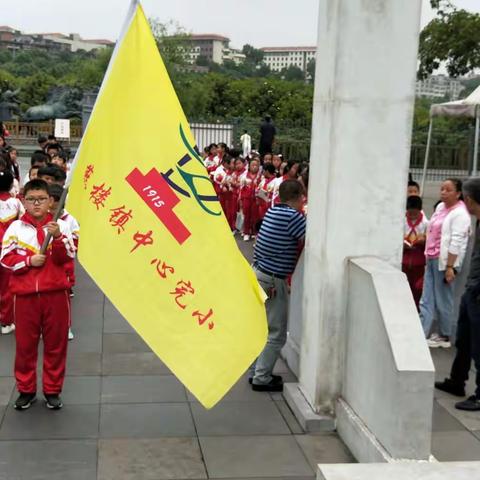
161	199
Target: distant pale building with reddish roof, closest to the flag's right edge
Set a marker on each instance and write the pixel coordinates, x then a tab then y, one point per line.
215	48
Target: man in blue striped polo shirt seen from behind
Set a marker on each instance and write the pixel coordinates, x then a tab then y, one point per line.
275	258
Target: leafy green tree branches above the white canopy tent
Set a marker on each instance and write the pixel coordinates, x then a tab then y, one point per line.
453	38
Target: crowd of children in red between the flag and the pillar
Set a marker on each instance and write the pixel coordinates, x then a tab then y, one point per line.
248	186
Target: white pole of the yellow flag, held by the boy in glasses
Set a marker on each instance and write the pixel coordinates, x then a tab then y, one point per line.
134	4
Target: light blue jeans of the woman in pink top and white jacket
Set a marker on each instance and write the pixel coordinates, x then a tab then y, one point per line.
437	297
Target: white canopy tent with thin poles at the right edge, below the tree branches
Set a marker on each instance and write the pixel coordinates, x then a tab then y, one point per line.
468	107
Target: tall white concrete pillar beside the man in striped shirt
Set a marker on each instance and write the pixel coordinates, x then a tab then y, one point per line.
363	109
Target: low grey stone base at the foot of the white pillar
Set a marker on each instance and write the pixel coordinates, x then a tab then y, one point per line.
308	419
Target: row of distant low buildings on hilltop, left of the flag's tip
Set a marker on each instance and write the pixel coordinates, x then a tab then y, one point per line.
12	39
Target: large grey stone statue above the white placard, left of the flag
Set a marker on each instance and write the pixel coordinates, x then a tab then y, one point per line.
63	102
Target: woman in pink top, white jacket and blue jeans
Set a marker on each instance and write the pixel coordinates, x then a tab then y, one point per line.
447	238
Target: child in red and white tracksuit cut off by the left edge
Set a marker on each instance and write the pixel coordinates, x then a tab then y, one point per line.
10	209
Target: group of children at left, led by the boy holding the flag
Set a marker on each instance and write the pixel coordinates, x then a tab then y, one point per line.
36	267
